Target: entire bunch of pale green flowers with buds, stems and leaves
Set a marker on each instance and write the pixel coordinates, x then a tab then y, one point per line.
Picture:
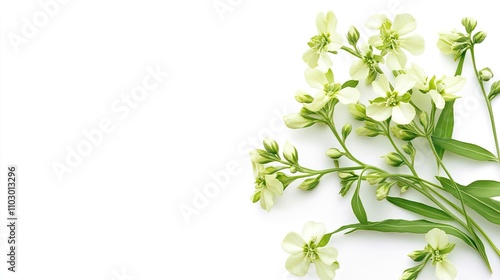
403	103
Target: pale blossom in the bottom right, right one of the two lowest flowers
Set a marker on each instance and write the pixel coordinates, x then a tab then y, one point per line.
439	248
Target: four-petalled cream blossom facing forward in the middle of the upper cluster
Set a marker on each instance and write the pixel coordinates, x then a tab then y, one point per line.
392	101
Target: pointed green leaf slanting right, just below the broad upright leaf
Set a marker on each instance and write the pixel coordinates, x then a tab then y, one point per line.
464	149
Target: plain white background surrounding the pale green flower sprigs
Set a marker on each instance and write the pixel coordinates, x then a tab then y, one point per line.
232	75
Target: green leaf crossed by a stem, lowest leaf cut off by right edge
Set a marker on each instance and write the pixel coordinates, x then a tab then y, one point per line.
486	207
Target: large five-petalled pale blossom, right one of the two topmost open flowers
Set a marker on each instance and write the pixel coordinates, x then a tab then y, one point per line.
394	38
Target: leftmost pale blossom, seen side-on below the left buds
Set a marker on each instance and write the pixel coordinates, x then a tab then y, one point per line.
267	186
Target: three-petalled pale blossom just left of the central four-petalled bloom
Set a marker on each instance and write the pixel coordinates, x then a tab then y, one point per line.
328	90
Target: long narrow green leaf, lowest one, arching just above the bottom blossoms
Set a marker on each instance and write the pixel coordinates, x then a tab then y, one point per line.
409	226
